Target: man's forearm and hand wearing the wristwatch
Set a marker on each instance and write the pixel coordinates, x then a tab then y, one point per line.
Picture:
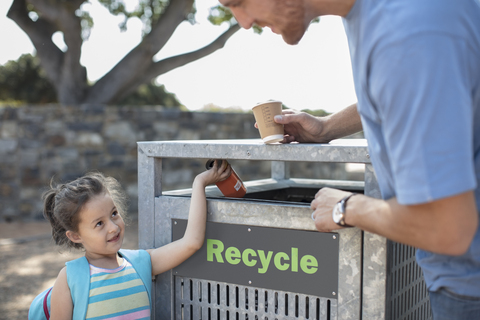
444	226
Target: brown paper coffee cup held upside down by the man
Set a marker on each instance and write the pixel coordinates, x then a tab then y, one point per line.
270	131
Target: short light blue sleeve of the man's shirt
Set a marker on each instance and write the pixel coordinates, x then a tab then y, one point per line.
422	94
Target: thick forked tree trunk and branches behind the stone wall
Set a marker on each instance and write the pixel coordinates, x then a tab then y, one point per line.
67	74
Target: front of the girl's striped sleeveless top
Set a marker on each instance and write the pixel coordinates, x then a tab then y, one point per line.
117	294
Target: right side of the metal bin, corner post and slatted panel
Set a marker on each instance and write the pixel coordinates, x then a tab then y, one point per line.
393	284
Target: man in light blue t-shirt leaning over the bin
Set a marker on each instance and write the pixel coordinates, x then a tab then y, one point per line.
416	67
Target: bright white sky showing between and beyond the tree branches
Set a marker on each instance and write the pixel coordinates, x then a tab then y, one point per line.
315	74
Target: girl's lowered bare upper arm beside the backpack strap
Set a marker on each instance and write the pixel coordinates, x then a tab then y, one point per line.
61	305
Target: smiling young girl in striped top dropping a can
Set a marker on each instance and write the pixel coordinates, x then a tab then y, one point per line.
87	213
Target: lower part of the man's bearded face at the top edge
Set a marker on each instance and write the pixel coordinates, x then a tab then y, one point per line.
285	17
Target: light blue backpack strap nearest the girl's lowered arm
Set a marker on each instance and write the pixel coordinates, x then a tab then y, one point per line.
78	279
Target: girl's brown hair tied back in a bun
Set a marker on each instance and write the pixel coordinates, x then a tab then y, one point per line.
63	202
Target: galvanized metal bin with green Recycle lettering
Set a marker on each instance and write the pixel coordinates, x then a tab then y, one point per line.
263	258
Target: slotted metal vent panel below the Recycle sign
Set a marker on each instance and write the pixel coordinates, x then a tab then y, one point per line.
197	299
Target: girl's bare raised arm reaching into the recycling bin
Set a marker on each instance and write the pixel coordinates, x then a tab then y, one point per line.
171	255
